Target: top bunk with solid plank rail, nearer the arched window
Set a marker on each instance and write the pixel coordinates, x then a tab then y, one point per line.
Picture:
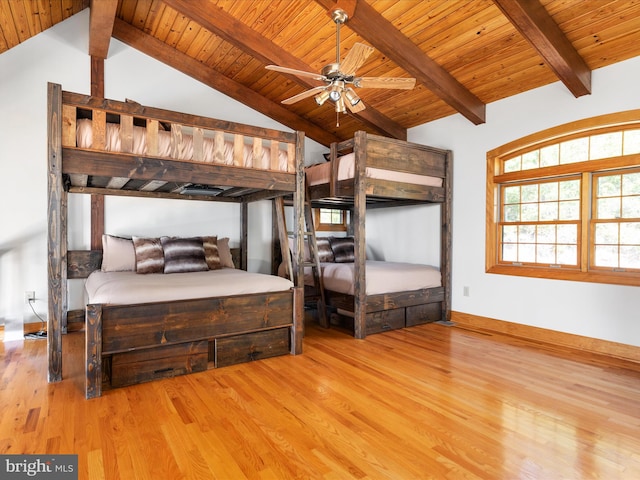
387	172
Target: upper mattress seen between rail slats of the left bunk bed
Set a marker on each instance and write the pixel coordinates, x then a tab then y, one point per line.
84	139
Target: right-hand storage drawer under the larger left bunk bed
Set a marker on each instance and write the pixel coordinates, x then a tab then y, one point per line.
251	346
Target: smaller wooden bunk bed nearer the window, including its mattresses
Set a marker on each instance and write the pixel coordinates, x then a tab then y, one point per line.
370	171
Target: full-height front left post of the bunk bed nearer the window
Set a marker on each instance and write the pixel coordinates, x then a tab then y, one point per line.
360	207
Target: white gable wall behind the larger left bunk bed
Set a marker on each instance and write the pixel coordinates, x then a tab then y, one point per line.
60	55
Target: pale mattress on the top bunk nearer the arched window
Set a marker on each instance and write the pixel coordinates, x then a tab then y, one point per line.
321	173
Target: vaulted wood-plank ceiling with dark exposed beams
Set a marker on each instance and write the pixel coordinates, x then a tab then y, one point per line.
463	54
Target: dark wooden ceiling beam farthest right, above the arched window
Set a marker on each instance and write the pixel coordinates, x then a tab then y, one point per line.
538	27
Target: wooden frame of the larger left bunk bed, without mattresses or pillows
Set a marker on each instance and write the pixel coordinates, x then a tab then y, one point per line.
128	344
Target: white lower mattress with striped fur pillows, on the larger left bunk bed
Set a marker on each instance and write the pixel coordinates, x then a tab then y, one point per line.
130	288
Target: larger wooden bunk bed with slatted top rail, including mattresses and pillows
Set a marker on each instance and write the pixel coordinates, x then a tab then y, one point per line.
104	147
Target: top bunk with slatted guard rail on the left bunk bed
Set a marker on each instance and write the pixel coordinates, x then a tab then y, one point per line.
124	148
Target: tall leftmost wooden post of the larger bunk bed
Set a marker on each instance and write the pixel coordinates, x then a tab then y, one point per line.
56	234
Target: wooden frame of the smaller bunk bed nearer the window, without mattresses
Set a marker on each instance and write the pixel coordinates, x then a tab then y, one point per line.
377	313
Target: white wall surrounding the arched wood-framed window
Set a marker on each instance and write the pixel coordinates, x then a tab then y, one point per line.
602	311
